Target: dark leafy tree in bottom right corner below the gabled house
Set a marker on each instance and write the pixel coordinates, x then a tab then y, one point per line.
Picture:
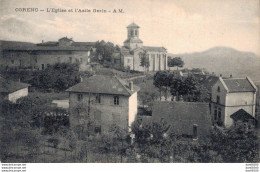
237	144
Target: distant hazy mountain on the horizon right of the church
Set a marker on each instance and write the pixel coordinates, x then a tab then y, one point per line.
224	60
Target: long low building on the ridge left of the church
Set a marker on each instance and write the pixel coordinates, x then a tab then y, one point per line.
40	56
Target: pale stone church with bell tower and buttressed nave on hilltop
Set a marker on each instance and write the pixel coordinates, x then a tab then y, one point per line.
129	56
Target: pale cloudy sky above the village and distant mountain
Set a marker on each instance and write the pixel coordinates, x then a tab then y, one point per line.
179	25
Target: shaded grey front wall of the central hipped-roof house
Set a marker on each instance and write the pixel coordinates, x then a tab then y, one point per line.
110	113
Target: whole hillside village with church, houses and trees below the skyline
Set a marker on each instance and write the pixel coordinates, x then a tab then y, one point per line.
67	101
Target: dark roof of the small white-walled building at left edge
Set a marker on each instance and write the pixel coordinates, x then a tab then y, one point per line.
8	86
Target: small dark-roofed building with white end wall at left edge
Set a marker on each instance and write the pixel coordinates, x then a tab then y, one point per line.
11	90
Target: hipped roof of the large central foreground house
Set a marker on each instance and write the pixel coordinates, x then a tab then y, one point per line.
104	85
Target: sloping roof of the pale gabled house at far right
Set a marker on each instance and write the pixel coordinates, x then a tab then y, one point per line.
239	85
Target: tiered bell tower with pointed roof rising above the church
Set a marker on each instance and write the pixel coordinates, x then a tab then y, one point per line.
133	40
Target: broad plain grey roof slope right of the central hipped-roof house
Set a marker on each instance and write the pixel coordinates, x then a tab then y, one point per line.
183	115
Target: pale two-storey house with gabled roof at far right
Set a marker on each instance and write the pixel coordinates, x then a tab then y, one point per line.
230	95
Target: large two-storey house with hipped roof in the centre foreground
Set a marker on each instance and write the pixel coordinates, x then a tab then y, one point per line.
107	100
